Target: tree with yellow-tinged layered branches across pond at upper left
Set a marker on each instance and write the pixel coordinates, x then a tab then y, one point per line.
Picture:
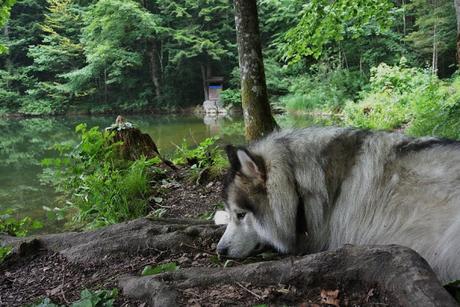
59	52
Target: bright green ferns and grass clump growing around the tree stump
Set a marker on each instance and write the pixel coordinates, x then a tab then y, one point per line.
103	188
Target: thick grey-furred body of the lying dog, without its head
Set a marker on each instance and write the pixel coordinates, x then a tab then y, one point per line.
374	188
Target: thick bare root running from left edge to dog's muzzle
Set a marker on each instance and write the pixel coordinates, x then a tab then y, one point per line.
130	238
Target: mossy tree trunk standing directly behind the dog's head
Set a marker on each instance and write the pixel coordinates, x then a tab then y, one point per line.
258	118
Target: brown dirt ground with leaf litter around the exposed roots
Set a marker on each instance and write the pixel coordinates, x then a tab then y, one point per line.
46	274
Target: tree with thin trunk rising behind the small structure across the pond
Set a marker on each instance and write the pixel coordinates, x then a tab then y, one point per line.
203	34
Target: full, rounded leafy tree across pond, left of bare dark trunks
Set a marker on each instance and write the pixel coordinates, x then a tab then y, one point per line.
117	39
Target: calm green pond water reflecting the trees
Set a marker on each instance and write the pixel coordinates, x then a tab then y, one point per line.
25	142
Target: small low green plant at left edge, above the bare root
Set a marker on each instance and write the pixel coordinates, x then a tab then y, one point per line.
13	226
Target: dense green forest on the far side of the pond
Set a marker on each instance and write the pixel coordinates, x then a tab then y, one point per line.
375	64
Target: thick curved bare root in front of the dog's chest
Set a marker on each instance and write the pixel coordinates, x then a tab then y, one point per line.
399	271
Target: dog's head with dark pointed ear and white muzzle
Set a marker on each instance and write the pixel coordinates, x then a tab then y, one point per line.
249	208
